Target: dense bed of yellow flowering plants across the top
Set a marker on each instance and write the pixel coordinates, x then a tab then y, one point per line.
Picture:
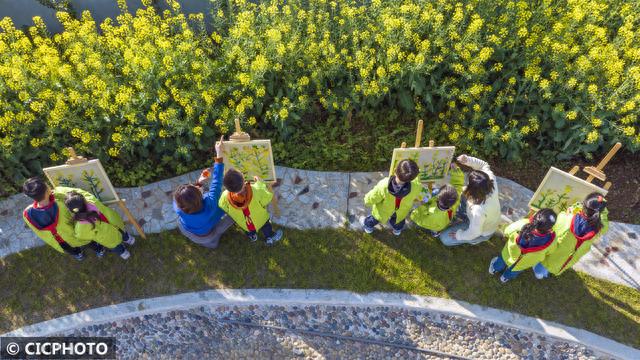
149	93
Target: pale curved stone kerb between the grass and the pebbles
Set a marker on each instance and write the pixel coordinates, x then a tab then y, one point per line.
325	297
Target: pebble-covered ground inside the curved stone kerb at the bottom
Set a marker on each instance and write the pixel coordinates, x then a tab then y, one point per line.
319	331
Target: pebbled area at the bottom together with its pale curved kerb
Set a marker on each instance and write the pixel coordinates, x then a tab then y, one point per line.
337	324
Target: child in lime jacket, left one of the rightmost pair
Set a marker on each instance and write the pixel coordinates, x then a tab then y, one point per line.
528	242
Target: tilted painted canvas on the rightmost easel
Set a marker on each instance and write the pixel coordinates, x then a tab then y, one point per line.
559	190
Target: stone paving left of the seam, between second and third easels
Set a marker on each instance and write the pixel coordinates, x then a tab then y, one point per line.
311	199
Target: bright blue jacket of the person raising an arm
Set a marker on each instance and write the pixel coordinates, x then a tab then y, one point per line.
202	222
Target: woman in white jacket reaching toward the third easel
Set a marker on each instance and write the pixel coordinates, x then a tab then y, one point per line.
482	206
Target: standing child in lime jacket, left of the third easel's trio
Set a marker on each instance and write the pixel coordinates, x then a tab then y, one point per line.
392	198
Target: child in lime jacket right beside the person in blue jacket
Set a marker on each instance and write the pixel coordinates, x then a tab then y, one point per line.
246	204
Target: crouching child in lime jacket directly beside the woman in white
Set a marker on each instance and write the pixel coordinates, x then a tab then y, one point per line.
437	213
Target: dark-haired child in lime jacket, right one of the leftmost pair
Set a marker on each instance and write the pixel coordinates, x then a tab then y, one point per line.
97	222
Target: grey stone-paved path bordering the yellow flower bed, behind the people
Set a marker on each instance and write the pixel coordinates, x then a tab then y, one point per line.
313	199
